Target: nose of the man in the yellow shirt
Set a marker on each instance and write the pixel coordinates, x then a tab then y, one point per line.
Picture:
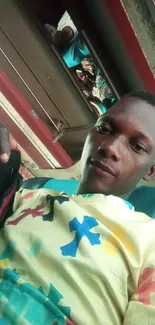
110	148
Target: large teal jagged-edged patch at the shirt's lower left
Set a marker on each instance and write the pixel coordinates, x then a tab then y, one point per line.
23	302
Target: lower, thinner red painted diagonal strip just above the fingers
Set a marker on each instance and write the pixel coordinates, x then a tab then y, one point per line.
22	140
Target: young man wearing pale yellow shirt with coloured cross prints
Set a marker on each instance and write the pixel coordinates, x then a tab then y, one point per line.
86	258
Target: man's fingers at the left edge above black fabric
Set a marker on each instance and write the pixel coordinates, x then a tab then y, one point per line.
6	144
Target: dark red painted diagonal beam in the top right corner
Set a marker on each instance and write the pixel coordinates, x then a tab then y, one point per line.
131	43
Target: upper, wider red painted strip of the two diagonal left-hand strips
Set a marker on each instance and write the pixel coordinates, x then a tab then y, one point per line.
24	109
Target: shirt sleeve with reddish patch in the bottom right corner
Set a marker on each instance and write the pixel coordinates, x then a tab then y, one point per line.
141	308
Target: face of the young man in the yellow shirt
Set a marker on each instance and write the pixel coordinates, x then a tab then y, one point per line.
120	149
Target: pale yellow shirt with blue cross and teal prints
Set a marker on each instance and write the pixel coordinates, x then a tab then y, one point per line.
76	260
